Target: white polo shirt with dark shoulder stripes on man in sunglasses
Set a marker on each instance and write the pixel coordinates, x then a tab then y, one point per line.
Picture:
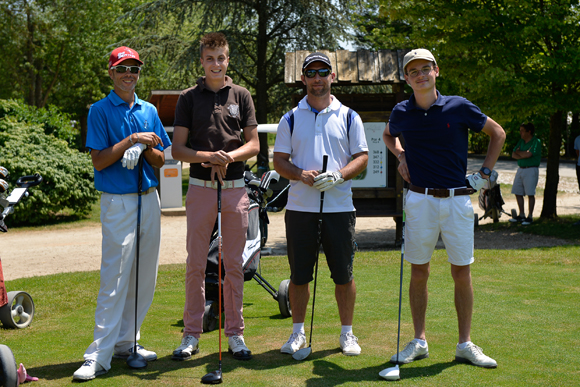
314	135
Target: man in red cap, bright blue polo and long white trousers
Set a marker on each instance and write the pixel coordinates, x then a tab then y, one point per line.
121	129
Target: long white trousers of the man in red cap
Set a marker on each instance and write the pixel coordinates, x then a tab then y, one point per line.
115	313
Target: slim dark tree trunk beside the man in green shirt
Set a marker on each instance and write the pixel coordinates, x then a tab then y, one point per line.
552	172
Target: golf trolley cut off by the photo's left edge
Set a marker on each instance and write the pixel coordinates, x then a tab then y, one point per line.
16	307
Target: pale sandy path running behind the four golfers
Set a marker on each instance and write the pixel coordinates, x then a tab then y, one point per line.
35	253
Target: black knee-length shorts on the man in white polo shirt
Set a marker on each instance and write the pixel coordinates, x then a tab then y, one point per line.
337	241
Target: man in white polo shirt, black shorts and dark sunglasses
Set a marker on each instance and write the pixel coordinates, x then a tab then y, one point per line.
320	125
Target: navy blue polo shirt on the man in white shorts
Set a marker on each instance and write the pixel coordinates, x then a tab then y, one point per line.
436	139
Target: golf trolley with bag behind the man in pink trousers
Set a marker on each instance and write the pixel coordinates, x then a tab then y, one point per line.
259	192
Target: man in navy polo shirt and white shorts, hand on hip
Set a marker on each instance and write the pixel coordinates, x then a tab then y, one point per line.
434	162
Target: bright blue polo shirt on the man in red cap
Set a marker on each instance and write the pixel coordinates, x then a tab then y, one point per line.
110	121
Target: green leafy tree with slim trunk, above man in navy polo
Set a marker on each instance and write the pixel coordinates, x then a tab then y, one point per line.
515	58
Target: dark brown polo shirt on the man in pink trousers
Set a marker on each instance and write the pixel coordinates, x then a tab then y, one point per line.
215	122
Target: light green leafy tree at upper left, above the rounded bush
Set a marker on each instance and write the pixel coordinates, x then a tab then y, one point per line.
56	51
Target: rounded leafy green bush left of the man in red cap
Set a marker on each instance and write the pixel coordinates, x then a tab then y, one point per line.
25	149
